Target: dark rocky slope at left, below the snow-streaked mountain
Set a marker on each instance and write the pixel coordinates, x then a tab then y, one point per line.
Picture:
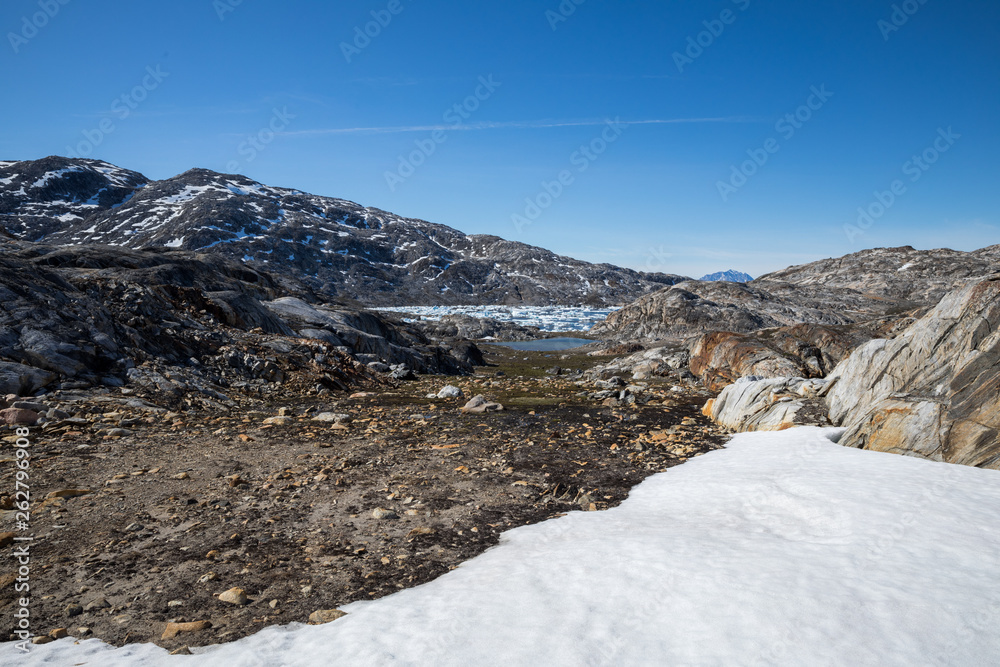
189	326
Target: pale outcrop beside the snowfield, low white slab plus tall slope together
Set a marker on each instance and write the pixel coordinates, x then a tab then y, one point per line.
933	391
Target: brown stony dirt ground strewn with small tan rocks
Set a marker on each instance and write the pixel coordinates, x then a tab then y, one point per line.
166	526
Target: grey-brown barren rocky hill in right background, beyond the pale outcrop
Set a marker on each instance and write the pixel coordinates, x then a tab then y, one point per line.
864	286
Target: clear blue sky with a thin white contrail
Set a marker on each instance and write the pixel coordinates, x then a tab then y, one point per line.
270	90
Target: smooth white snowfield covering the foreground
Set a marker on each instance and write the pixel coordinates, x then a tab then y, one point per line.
782	549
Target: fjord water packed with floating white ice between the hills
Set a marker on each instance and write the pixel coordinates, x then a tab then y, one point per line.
546	318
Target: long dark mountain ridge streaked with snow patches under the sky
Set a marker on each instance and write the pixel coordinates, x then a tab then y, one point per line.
334	246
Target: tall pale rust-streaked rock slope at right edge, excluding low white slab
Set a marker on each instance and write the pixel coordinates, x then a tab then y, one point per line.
935	390
